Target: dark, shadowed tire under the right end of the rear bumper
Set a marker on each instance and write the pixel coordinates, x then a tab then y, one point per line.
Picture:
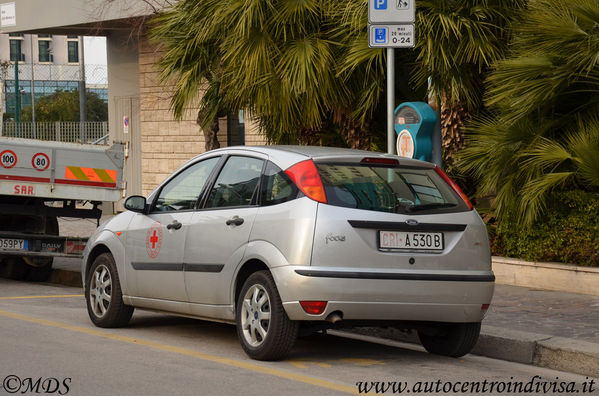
451	339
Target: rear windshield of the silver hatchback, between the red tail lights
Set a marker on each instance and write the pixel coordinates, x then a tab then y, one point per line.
388	188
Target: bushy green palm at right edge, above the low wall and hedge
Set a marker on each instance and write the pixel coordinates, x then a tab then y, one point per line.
544	132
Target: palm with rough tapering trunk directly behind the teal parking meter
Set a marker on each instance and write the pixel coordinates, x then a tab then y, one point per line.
457	42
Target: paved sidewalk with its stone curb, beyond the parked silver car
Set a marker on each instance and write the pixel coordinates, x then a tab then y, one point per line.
544	328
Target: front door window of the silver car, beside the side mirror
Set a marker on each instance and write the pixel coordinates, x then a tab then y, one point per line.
183	191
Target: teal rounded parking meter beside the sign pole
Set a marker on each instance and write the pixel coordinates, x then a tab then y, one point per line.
414	125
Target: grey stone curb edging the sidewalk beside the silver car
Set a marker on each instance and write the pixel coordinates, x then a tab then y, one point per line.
558	353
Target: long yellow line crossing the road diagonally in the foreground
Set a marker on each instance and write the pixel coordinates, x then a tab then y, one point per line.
188	352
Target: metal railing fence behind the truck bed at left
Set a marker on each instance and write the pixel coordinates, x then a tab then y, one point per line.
93	132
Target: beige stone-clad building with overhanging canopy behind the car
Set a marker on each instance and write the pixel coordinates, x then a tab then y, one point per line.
158	143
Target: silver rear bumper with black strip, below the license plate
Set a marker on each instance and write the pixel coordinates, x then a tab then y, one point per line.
440	296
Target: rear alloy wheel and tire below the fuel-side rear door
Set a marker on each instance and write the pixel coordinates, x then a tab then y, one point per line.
264	329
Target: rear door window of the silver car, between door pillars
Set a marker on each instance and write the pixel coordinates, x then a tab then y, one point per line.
236	183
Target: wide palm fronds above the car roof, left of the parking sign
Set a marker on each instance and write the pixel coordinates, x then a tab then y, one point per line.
278	59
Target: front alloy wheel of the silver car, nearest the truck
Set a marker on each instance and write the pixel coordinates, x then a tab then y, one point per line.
103	294
